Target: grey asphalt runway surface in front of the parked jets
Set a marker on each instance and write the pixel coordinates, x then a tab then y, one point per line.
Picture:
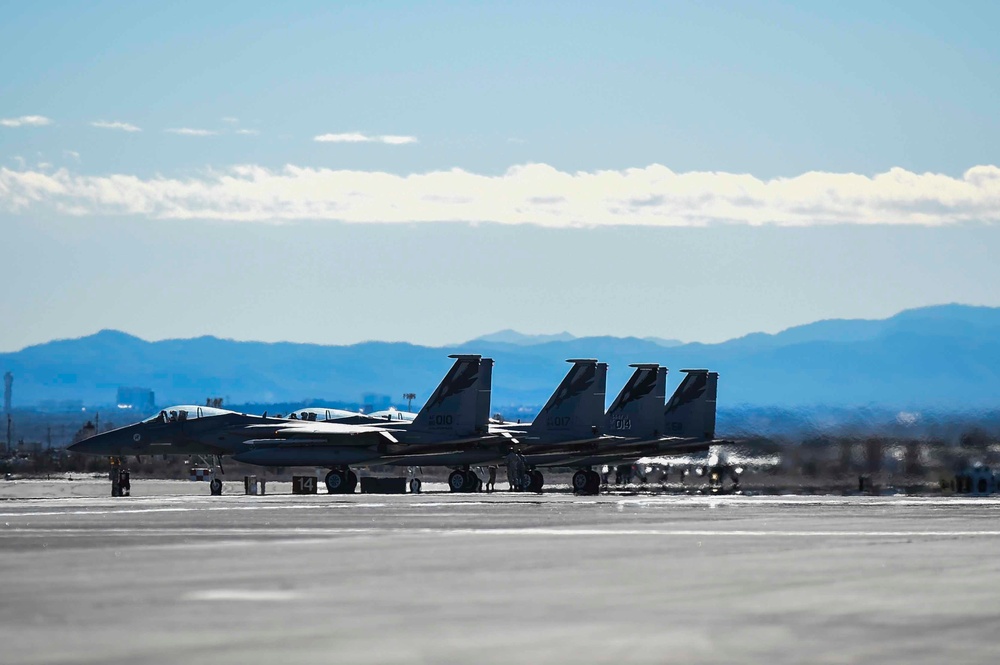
173	575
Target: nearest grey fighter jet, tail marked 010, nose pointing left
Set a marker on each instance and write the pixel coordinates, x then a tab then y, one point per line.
457	413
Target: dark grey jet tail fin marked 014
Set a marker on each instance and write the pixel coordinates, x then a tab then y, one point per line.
637	412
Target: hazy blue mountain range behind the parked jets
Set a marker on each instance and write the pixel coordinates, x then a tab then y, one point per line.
944	358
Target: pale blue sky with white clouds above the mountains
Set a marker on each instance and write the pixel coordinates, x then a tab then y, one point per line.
431	172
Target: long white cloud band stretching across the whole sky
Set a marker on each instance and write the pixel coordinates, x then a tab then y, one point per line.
528	194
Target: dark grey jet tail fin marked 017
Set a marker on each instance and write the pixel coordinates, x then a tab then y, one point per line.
576	409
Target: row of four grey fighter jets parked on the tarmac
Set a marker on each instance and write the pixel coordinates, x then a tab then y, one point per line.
453	429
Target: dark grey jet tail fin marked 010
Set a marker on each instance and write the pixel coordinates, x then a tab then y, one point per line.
455	409
